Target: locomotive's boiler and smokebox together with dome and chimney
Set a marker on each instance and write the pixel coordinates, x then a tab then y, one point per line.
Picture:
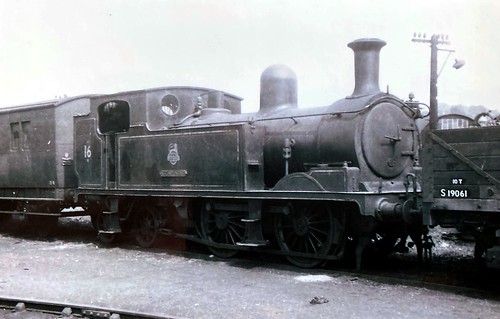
372	131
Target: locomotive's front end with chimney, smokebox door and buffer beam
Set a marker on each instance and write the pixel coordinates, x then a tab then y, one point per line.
383	134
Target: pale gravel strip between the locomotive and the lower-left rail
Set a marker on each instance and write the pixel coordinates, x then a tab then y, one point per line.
72	270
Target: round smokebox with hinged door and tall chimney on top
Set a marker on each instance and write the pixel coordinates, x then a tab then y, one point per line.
377	129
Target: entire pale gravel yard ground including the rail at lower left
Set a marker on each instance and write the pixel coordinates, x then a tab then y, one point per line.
68	266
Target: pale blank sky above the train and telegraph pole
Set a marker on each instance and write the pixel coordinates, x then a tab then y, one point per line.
53	48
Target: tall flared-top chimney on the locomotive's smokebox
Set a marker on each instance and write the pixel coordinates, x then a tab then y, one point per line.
366	66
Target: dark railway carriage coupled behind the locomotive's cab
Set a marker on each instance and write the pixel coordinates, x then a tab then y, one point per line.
36	170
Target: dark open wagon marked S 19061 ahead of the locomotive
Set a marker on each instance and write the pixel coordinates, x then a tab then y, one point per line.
461	183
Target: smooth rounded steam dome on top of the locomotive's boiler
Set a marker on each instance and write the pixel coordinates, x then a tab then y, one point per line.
278	88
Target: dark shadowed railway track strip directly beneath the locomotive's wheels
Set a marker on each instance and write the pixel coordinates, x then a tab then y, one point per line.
451	269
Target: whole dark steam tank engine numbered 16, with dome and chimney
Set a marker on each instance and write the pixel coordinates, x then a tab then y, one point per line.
306	179
